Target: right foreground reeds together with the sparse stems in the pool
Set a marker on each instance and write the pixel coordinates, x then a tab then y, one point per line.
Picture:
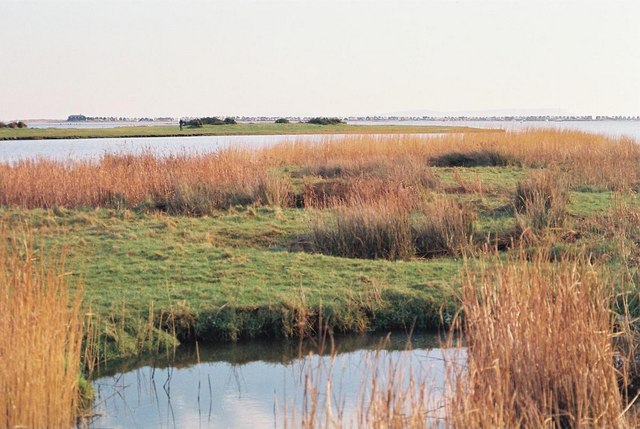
541	348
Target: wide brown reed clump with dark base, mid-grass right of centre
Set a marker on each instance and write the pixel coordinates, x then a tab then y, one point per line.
392	228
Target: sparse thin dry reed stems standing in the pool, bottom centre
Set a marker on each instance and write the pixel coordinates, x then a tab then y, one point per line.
391	395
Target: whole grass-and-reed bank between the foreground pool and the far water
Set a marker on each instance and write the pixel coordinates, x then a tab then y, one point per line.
360	233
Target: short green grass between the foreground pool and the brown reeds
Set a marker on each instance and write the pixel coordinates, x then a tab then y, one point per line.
231	276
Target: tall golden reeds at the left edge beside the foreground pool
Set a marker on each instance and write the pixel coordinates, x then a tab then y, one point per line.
40	340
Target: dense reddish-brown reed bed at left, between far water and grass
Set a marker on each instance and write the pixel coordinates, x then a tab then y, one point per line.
190	184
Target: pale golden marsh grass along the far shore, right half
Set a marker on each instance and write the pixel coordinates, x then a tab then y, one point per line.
591	160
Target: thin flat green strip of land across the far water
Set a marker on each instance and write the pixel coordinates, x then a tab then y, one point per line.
224	130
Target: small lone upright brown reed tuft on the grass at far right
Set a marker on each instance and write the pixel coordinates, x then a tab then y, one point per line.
541	200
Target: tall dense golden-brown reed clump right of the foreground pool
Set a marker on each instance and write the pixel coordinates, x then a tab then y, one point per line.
539	348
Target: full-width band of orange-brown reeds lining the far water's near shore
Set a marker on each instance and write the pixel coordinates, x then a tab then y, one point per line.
195	183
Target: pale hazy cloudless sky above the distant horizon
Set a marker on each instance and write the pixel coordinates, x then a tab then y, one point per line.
314	57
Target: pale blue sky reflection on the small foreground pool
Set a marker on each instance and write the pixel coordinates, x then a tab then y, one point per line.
252	385
